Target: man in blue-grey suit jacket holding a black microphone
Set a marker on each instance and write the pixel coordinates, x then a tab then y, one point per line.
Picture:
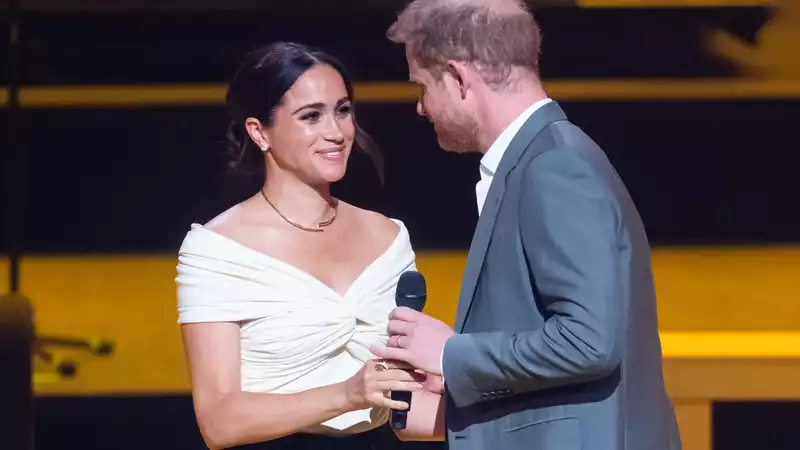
556	344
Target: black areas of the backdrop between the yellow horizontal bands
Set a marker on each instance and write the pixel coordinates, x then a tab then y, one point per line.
131	180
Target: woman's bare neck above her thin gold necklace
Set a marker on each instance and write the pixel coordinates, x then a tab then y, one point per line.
298	200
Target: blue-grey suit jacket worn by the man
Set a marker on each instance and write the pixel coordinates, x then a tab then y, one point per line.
556	344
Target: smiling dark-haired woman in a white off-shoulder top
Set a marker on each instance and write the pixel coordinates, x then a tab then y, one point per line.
281	296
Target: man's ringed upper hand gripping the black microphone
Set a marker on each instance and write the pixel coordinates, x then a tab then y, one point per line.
415	338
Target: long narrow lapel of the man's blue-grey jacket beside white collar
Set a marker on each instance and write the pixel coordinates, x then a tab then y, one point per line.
547	114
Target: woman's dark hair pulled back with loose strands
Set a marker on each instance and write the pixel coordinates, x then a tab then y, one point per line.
257	89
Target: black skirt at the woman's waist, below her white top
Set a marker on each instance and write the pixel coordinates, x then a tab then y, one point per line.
381	438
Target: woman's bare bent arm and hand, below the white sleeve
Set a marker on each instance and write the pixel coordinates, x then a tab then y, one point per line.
227	416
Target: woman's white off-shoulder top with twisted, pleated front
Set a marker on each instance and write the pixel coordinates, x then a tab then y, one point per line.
296	332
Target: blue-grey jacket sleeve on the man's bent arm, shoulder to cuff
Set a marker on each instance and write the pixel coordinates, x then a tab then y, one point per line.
569	226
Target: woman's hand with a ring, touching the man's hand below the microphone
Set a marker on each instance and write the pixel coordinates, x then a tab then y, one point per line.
371	386
